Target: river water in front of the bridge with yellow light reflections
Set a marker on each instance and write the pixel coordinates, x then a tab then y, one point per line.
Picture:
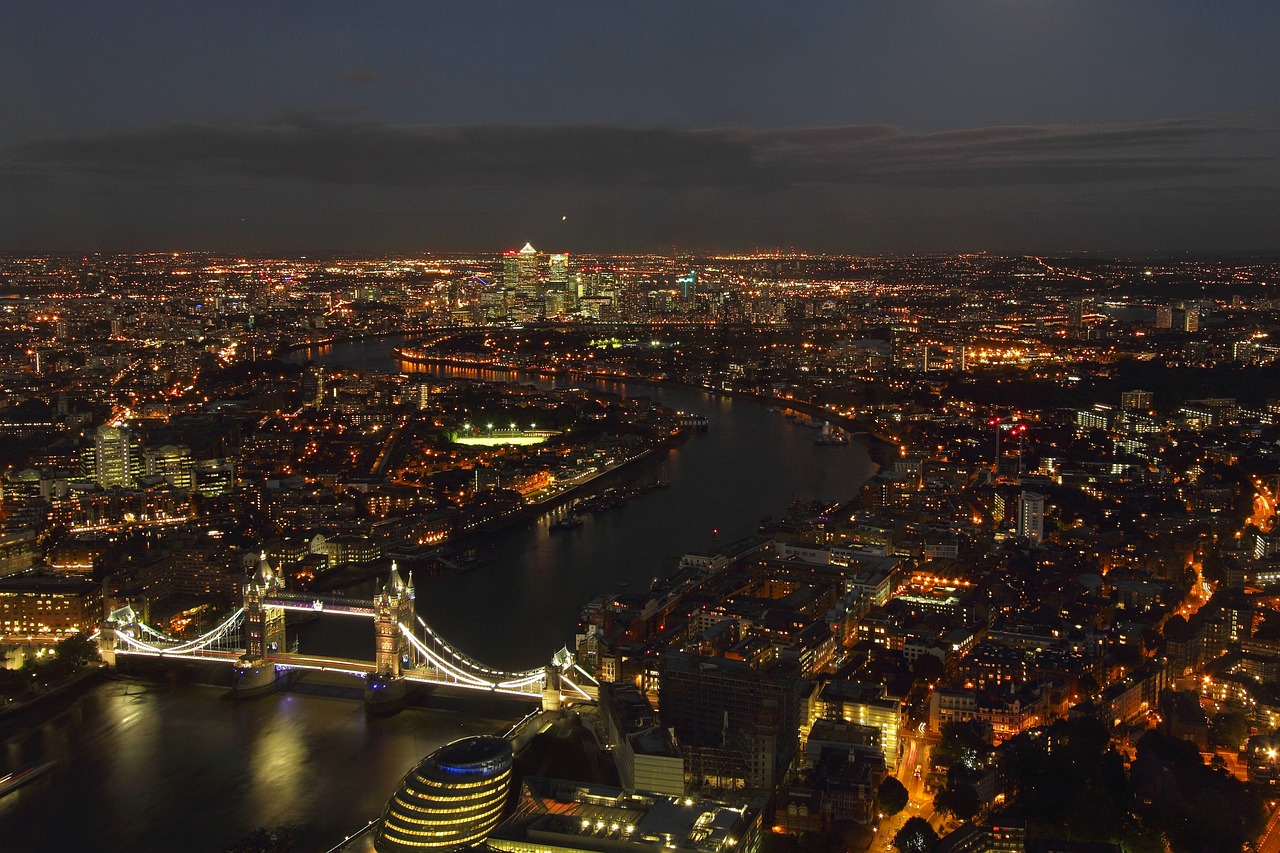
186	769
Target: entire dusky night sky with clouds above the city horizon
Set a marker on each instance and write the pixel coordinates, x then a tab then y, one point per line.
862	126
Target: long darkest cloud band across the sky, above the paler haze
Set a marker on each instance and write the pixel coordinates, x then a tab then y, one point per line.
323	149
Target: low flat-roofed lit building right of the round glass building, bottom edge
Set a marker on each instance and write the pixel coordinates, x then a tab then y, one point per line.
555	816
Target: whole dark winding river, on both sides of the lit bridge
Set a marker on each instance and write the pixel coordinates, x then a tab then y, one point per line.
182	768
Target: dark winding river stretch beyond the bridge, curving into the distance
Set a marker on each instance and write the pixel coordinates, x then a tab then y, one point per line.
519	610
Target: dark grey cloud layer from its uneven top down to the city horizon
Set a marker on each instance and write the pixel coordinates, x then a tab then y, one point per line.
327	180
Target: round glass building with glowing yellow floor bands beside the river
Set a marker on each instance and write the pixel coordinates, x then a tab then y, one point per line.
452	799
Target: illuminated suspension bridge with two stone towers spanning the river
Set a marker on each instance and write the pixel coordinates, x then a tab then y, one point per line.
406	649
